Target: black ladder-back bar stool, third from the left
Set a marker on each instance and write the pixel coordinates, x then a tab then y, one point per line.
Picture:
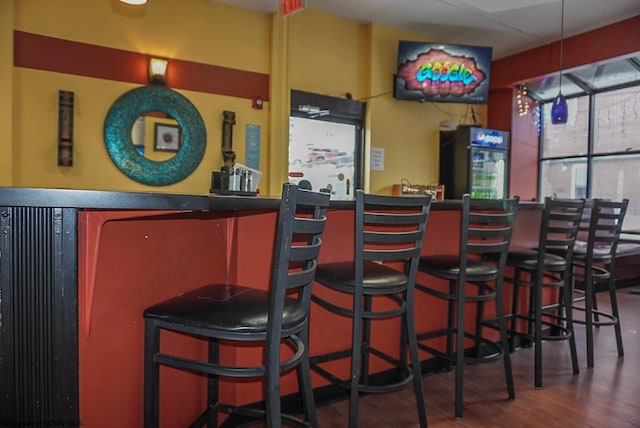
485	231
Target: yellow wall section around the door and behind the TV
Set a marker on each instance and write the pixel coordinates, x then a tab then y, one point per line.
333	56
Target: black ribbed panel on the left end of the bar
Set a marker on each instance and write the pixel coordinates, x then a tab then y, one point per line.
38	317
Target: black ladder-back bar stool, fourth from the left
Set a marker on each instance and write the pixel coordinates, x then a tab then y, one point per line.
542	268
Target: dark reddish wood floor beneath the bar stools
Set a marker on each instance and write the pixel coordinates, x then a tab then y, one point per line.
606	396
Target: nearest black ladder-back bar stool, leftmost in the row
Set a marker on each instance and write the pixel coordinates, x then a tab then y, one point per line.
240	314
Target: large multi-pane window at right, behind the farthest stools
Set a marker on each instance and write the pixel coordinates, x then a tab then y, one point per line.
596	154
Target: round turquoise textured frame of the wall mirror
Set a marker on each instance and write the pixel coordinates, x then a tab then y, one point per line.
124	154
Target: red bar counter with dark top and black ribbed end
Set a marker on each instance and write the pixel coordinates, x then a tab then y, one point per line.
78	267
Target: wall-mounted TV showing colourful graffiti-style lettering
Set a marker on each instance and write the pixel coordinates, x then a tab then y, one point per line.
442	72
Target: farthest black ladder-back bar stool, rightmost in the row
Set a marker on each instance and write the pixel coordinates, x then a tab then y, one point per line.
595	262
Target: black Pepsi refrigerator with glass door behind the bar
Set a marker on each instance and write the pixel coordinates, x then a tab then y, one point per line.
474	160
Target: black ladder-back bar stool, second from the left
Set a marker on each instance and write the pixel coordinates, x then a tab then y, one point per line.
389	230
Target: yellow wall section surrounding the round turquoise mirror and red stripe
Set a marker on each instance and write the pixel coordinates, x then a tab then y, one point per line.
211	34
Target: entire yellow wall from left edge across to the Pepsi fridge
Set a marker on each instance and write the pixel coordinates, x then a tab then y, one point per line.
308	51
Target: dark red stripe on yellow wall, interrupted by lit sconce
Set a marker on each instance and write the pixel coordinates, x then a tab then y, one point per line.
64	56
